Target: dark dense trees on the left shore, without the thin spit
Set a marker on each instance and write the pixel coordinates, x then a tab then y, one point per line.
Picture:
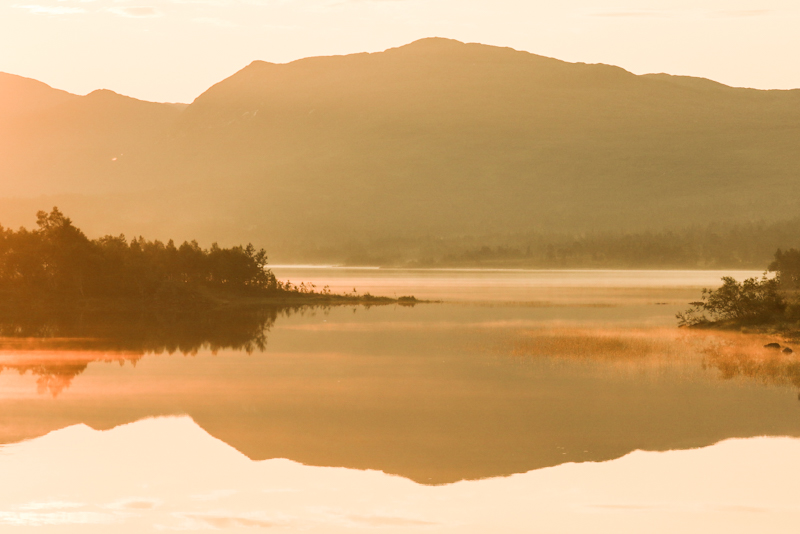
58	262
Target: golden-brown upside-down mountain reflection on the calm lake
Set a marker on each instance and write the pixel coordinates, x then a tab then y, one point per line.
427	404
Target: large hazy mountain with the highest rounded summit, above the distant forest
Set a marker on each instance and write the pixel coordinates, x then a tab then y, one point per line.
440	136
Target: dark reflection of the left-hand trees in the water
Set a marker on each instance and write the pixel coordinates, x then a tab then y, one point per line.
57	347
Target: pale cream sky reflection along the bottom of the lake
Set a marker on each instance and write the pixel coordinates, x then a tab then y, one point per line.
168	474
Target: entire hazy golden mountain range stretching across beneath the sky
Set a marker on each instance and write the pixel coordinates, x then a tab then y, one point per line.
435	139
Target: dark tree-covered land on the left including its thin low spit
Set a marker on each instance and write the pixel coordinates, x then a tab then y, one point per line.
56	267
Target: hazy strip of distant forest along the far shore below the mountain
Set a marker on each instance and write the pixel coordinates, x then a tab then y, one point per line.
717	246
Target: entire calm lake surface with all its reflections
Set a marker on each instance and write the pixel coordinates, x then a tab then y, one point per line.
519	401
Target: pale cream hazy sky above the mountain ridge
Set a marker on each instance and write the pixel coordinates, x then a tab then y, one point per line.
172	50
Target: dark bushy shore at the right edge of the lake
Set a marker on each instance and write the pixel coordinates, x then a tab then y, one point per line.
770	304
